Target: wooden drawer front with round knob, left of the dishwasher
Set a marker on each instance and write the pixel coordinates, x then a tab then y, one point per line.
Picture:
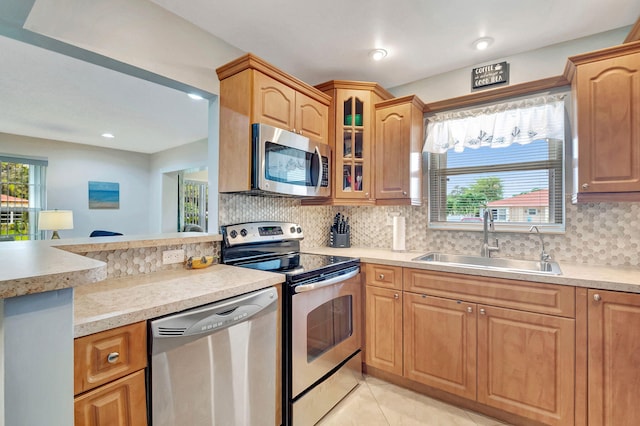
102	357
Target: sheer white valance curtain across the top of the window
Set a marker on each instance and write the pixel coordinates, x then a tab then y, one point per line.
496	126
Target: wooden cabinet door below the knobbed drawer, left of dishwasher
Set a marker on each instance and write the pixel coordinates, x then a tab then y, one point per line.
122	402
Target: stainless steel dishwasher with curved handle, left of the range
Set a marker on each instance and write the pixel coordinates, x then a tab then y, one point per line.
216	364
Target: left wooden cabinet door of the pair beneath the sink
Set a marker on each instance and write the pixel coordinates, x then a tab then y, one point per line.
440	343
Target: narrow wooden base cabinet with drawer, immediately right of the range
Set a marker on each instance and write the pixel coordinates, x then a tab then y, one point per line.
383	325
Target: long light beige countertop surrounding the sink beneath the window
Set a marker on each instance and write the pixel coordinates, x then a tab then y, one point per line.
600	277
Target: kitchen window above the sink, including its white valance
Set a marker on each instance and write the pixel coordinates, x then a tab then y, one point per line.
507	158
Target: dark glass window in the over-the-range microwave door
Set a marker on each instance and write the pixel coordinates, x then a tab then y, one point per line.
291	165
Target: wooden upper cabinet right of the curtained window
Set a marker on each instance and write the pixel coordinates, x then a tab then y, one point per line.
606	91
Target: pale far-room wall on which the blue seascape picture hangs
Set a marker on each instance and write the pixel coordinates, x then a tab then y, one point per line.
72	166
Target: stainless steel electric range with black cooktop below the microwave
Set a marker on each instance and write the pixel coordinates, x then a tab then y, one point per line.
321	315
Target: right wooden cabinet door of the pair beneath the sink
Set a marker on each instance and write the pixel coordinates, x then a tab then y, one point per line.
526	364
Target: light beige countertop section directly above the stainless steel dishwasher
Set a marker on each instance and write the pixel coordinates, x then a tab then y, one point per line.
121	301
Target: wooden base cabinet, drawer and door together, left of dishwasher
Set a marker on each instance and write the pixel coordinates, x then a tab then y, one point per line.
109	379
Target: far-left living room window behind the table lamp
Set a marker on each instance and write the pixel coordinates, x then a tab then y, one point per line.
22	196
